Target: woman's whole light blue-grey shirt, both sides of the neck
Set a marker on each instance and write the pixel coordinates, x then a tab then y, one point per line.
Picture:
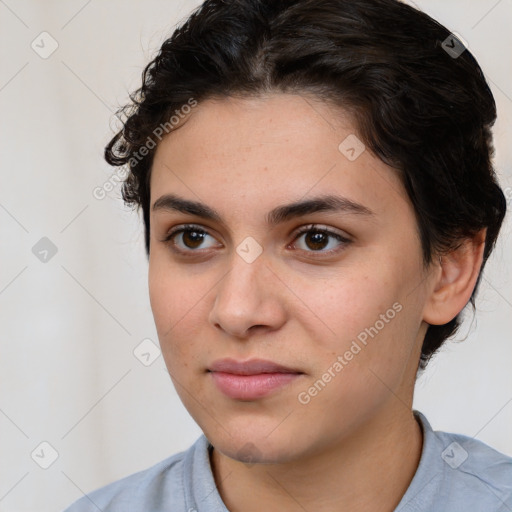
455	473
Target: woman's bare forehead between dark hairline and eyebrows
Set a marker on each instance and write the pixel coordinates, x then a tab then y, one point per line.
265	149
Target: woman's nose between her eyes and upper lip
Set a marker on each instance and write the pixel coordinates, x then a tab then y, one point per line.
248	299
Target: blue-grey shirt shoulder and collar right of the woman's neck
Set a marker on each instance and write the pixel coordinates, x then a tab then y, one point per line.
458	472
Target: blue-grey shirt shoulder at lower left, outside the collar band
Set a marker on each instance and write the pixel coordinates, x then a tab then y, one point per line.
150	489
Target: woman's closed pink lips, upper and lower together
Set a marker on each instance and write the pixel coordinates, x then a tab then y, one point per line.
251	380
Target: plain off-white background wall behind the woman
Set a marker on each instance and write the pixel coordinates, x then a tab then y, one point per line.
69	326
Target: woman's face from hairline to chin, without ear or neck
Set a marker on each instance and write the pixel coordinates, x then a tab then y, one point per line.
342	307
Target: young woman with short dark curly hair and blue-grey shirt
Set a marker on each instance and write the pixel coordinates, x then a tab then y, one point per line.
319	202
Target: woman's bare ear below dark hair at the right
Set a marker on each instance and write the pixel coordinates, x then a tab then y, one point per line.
455	278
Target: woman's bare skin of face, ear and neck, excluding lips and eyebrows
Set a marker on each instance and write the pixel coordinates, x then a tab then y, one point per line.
355	445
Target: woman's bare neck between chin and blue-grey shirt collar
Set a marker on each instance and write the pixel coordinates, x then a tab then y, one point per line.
368	471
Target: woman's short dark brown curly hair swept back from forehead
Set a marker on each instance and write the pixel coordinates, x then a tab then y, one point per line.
423	110
